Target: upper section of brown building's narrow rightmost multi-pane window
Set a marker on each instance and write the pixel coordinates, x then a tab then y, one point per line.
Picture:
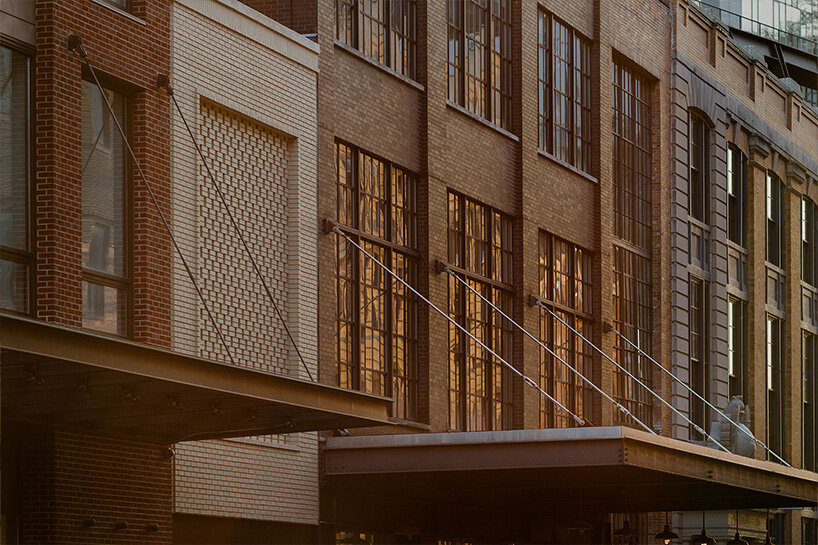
631	156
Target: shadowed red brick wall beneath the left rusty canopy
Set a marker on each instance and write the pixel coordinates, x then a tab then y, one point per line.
68	478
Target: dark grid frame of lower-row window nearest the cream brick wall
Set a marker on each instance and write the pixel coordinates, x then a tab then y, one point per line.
391	247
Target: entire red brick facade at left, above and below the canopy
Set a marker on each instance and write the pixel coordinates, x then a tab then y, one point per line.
66	478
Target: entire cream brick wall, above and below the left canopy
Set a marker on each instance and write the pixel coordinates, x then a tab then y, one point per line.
247	86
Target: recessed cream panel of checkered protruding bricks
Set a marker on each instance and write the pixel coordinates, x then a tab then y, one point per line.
250	164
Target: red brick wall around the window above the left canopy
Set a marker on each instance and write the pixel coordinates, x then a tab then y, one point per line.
128	55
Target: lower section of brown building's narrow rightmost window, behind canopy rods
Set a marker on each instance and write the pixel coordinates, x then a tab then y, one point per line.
632	317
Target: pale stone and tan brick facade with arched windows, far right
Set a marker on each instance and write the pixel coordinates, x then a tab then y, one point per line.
748	107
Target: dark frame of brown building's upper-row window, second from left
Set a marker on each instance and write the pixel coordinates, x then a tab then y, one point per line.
456	62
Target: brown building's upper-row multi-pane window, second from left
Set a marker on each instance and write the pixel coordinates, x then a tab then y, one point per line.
479	58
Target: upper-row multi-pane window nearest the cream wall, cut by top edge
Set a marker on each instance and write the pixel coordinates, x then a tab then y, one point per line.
383	30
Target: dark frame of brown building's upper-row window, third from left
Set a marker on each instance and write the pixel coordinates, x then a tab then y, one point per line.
579	71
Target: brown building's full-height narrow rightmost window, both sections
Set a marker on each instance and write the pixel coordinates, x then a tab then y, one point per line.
632	173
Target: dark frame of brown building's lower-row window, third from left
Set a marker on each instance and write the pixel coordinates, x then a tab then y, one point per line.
579	398
